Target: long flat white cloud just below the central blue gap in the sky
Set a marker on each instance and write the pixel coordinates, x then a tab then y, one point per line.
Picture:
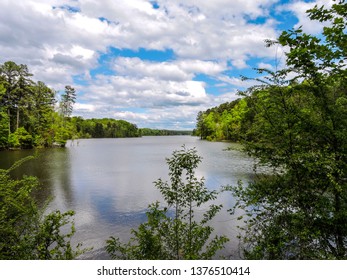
144	92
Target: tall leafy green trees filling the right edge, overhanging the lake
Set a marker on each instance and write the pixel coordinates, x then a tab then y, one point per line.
299	210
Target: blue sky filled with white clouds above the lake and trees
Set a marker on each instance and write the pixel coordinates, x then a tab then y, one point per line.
153	63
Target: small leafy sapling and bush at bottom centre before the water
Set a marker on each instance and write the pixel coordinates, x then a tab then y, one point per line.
173	232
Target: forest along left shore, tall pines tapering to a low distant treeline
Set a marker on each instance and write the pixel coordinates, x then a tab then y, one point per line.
32	116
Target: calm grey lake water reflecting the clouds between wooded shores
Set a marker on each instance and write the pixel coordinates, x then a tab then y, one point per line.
109	182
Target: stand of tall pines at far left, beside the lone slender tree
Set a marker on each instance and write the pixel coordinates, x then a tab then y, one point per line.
28	106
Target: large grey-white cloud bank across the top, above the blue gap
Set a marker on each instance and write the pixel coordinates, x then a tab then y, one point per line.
206	32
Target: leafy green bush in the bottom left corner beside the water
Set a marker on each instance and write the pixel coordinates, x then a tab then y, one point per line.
26	232
